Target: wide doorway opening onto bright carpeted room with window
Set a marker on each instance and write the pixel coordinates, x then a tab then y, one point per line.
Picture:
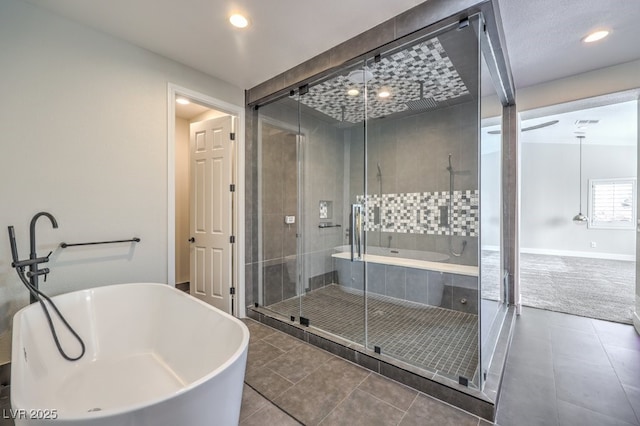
578	167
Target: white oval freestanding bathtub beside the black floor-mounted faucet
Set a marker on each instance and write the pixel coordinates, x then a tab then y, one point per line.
154	356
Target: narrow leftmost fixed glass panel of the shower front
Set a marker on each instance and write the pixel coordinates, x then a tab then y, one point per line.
279	175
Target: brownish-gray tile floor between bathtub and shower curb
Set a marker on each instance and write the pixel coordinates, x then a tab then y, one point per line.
291	382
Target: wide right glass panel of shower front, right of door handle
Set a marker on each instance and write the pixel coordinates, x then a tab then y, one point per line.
422	204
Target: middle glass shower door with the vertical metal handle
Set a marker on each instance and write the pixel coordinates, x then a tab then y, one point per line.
331	117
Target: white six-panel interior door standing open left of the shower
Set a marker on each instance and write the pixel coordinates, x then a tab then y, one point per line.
211	223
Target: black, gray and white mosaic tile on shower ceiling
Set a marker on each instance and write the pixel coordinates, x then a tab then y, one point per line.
401	73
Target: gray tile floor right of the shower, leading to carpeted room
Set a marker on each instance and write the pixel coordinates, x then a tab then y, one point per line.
569	370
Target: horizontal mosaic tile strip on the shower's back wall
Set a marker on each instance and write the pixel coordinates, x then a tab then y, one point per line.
422	212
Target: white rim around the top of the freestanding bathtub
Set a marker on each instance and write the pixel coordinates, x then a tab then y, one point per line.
112	412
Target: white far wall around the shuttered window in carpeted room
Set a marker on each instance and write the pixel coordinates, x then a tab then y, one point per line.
550	197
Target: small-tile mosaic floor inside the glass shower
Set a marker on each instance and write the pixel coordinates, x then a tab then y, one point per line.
425	336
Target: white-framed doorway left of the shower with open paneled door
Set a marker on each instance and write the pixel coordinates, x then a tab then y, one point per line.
205	212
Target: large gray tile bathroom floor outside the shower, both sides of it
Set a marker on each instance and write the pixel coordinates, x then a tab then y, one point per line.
561	370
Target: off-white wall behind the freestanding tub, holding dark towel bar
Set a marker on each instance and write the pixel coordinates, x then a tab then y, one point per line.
84	136
